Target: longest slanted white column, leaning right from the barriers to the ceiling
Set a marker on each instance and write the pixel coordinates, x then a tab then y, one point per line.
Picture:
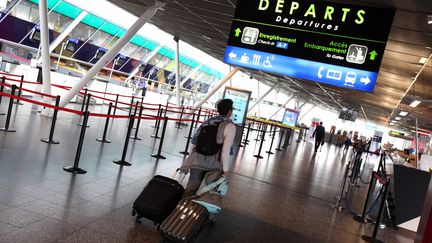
112	52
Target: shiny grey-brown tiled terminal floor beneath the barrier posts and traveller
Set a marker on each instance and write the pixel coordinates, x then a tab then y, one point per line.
281	198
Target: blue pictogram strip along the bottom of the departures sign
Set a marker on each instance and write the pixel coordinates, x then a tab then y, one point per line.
344	77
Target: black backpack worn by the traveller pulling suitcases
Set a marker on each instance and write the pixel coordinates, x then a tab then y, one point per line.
207	141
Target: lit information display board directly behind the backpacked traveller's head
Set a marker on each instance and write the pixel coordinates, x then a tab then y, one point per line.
240	100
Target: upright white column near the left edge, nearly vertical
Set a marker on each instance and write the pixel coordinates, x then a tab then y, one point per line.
46	66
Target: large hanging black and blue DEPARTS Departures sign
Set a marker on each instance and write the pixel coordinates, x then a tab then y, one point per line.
337	44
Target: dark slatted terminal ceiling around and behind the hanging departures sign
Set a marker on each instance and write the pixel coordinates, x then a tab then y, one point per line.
206	24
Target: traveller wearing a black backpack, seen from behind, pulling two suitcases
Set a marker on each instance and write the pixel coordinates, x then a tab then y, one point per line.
211	149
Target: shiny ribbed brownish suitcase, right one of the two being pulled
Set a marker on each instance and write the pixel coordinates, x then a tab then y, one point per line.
185	222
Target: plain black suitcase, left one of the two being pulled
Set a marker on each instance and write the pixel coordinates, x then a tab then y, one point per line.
158	199
